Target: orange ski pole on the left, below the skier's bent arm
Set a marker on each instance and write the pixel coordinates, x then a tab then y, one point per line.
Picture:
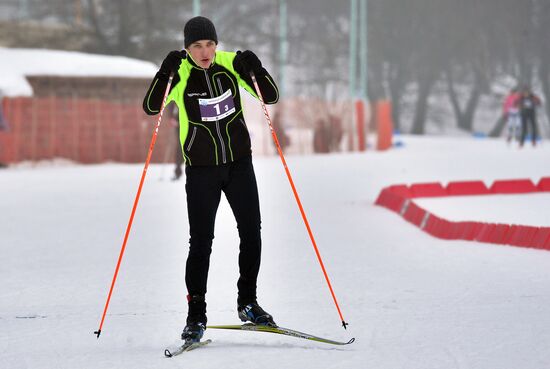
149	154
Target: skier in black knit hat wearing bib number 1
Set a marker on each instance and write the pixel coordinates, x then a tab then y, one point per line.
217	152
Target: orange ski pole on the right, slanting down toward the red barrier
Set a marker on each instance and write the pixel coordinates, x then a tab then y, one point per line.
274	135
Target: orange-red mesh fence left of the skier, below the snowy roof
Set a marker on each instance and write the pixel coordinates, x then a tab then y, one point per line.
83	130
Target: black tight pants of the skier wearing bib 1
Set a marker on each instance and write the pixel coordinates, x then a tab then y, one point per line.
204	187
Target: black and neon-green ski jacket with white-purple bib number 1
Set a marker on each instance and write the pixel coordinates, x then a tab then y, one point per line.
212	126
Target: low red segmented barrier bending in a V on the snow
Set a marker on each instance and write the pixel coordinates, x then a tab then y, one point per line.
399	198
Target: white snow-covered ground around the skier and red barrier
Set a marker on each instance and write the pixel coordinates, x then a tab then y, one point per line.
412	301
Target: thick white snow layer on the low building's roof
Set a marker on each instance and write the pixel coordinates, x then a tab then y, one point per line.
18	63
